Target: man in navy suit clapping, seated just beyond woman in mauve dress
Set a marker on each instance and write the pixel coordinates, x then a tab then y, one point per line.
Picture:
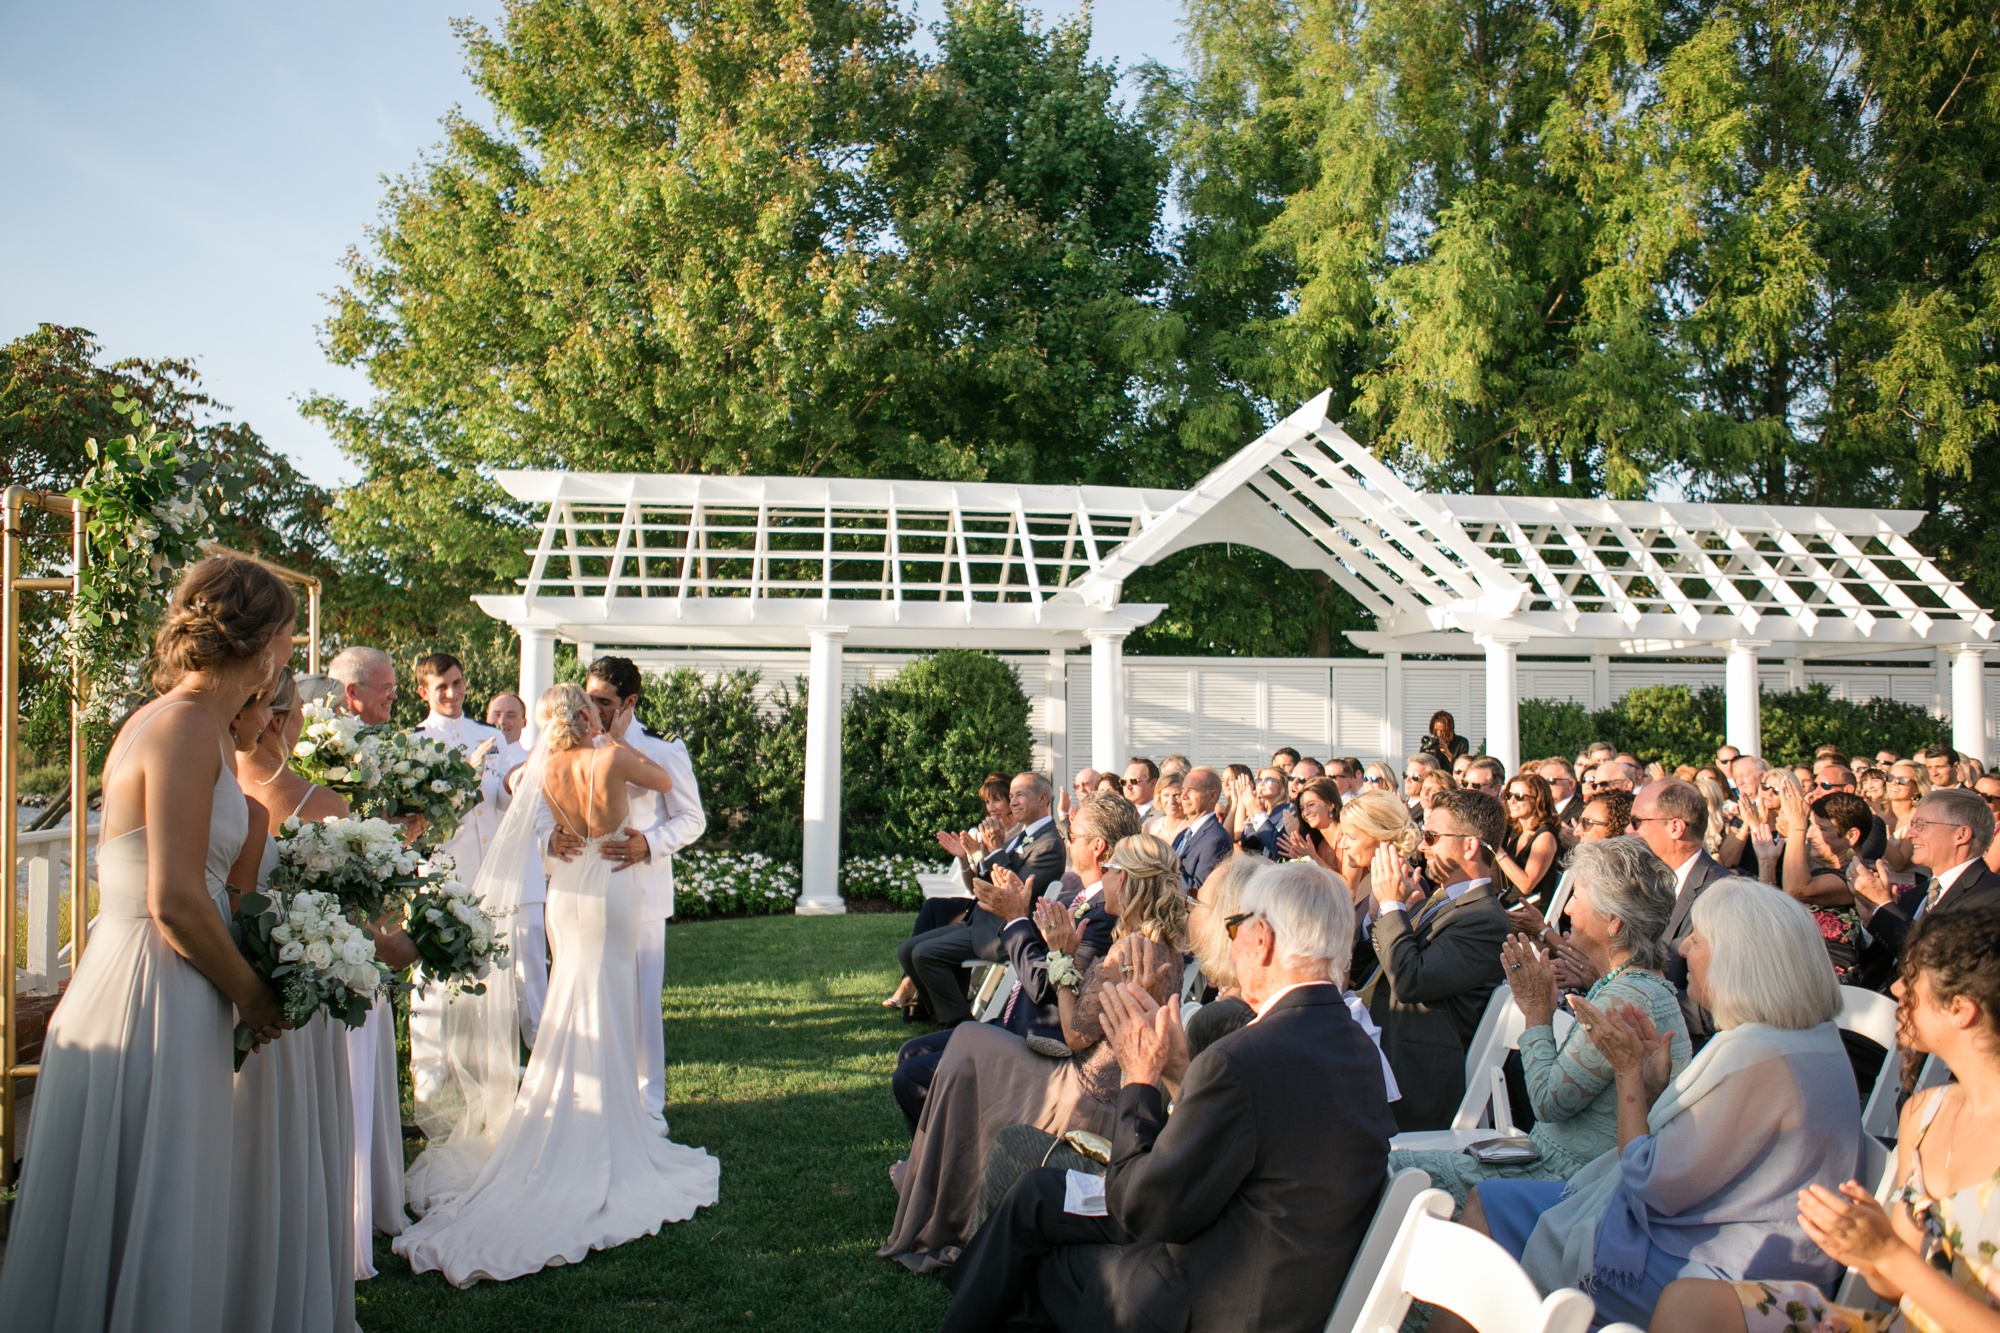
1097	826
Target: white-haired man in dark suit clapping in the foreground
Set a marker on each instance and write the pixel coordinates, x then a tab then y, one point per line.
1241	1210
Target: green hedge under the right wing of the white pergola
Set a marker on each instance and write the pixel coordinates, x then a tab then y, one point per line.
1675	726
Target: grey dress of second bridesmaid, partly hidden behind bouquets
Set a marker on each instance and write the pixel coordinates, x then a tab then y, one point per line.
291	1264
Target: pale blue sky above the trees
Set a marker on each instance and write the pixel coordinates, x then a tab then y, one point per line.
187	177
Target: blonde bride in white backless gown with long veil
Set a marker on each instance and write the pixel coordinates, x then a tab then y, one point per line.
565	1162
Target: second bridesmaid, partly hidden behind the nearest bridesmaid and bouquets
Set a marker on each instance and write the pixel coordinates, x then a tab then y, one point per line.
291	1260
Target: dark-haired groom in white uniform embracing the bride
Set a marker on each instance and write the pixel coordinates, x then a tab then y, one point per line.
655	832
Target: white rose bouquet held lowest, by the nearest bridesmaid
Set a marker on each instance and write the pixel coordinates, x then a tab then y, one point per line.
311	954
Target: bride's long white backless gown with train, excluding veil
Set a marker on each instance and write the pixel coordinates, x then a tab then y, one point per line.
577	1166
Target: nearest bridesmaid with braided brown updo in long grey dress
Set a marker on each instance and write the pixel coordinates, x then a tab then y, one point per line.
123	1216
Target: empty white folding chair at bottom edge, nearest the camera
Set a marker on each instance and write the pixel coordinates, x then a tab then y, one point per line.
1443	1264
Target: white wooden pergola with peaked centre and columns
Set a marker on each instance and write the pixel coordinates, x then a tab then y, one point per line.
783	561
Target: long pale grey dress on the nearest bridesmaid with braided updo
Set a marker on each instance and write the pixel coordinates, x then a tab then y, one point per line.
125	1208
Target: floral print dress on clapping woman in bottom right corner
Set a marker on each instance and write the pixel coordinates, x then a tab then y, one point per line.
1961	1240
